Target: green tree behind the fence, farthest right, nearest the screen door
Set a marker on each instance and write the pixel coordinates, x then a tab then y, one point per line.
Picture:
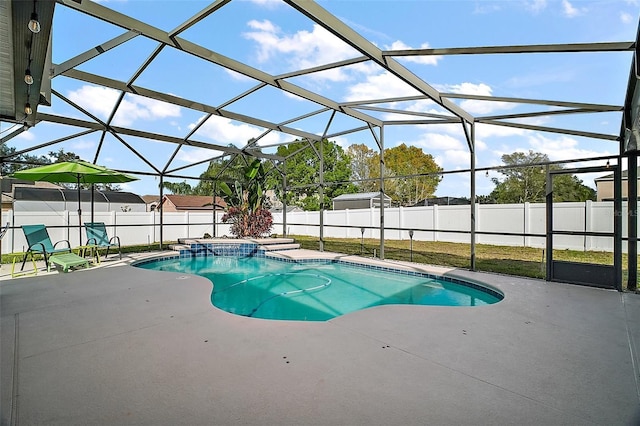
524	183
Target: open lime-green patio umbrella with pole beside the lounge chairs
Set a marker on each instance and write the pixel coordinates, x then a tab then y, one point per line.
78	172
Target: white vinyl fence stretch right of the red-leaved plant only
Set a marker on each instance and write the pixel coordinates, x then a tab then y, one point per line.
453	224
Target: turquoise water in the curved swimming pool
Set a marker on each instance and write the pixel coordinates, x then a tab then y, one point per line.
264	288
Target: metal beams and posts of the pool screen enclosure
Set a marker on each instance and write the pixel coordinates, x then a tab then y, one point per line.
360	111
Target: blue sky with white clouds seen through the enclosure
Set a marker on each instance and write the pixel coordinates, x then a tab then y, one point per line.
272	37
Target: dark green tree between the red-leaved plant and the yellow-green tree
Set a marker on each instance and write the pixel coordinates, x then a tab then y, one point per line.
303	170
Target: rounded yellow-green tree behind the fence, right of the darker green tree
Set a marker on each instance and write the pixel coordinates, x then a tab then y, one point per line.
406	160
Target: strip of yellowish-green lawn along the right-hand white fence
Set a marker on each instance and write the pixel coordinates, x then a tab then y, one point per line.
519	261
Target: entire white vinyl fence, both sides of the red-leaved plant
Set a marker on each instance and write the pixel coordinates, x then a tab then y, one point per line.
430	223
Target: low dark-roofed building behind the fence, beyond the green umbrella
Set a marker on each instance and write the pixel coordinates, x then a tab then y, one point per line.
34	199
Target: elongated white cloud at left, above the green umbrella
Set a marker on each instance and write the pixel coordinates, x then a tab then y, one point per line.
101	100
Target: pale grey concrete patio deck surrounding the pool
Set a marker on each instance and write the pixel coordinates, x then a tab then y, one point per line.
116	345
